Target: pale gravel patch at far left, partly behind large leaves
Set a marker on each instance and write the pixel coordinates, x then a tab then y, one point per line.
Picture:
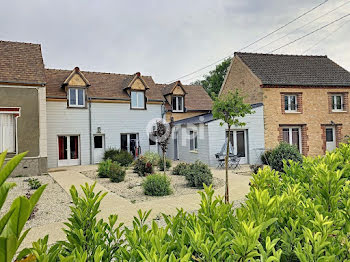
53	206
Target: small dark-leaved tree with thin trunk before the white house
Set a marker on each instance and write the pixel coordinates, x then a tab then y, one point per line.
162	134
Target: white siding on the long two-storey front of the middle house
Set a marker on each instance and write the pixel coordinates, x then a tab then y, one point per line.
112	118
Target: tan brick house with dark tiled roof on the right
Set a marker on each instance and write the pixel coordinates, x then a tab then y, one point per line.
305	98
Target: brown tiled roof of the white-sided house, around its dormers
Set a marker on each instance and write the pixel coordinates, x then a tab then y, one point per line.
102	85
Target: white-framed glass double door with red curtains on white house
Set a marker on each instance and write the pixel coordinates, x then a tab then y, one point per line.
68	150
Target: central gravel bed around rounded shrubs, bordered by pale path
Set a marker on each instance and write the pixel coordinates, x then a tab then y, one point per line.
131	187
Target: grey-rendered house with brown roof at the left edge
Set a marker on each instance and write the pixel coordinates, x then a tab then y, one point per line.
23	106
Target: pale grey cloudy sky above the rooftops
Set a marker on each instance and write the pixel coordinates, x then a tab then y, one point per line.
167	39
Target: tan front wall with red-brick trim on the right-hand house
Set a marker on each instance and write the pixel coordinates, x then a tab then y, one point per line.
314	113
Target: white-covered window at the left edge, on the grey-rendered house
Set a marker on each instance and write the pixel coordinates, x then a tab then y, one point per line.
7	133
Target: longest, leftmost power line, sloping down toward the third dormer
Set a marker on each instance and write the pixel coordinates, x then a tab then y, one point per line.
256	41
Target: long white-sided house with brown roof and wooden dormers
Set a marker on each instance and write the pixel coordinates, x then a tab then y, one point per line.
88	112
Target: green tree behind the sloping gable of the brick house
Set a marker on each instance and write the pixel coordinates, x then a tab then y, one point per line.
213	81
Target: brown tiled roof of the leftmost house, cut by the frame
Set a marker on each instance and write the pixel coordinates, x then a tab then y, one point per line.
21	63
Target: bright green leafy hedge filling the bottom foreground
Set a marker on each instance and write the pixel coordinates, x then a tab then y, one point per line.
301	214
